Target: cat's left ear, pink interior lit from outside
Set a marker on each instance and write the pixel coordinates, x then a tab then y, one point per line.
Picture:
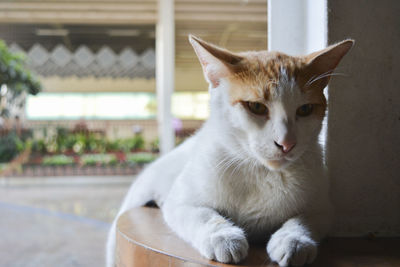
216	62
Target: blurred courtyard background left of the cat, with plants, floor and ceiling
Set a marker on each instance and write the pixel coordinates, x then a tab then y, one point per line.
78	111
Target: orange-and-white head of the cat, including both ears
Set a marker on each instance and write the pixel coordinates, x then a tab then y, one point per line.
272	103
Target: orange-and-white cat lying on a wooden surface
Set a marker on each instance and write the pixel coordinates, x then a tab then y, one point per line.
255	168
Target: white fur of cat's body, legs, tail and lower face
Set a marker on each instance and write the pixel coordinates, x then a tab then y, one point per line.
219	188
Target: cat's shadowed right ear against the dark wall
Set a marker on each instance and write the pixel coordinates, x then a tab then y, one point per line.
321	65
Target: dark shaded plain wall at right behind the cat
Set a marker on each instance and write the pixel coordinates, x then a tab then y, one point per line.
364	117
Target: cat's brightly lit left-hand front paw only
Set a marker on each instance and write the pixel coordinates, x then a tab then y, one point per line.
228	244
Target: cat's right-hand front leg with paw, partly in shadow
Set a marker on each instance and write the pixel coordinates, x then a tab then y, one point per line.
295	243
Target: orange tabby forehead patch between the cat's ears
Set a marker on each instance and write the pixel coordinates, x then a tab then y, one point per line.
264	74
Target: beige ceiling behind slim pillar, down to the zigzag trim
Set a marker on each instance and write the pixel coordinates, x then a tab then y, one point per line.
235	24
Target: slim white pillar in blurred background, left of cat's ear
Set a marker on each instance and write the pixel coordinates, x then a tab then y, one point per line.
165	71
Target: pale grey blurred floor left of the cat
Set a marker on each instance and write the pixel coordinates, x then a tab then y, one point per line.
57	221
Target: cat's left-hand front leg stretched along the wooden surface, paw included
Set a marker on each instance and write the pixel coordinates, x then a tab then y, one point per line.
211	234
